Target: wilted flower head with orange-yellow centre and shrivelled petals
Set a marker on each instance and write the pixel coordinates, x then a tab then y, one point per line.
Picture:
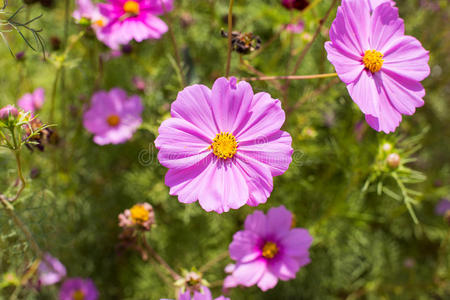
140	215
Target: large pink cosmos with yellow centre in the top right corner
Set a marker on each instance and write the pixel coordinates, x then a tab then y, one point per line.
380	65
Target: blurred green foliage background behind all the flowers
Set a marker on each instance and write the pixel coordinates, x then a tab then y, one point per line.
366	245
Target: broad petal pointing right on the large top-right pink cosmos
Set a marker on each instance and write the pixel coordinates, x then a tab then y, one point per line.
407	57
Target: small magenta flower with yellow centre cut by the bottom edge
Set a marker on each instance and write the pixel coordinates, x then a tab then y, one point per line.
78	288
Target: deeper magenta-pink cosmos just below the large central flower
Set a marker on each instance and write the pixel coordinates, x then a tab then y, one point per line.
268	249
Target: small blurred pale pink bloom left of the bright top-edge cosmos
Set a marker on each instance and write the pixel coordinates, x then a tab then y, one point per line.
90	11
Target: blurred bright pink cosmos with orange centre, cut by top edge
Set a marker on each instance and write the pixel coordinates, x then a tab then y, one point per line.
133	19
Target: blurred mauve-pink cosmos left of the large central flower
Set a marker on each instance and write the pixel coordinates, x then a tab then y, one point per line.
113	117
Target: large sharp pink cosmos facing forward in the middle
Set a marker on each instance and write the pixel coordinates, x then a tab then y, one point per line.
223	146
